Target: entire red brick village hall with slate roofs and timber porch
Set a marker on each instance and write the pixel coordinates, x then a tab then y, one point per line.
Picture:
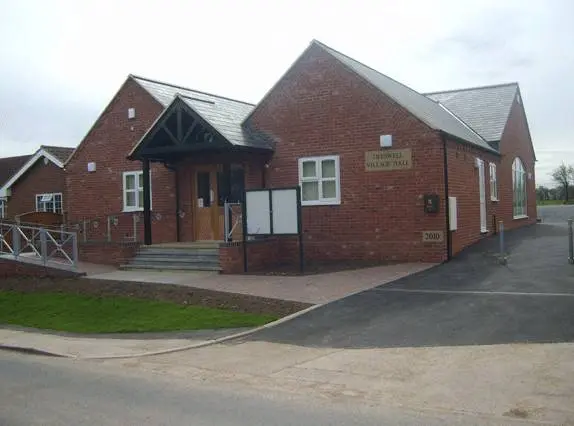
380	165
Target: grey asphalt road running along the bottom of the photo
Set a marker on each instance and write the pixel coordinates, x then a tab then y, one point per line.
51	392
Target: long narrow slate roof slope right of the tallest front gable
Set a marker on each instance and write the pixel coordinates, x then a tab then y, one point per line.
424	108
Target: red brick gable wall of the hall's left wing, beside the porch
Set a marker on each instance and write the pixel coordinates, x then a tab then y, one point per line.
98	194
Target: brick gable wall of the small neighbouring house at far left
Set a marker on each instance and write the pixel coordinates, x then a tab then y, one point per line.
39	179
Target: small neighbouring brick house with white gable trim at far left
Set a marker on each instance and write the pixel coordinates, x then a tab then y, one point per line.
33	183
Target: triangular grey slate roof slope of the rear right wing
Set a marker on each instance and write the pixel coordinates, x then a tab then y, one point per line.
485	109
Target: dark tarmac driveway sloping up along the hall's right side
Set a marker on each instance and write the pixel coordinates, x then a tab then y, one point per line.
472	300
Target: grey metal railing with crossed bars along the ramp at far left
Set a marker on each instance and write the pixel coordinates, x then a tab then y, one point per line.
39	245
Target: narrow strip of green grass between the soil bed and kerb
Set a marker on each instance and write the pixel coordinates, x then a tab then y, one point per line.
87	314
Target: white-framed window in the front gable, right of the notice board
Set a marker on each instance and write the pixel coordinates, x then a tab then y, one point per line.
320	180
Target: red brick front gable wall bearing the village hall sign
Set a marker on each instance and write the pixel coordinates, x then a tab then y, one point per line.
321	108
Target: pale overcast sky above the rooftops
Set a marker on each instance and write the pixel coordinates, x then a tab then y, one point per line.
62	61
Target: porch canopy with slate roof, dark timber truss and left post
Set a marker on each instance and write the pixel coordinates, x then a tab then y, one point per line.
197	127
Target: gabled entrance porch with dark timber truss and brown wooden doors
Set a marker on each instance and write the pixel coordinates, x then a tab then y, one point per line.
214	159
